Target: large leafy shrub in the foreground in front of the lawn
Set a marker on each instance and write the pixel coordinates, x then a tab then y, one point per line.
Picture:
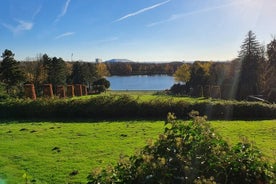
189	152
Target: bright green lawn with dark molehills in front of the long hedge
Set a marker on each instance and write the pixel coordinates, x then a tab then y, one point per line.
56	152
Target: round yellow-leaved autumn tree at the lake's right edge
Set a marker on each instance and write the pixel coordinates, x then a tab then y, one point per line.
183	73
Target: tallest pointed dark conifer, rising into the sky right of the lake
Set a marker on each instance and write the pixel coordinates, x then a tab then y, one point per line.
249	56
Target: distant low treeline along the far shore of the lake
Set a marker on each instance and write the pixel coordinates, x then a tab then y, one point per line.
135	68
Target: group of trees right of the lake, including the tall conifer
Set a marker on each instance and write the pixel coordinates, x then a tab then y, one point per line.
252	73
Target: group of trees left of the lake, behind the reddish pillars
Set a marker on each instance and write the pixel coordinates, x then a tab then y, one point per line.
46	70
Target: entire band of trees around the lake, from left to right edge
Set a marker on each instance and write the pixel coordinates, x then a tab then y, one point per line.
253	72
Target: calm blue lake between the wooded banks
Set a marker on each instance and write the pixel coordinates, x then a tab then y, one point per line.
141	82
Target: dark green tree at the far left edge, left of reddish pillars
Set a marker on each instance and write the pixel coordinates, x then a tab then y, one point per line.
11	75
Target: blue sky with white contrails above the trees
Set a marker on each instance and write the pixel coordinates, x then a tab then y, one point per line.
139	30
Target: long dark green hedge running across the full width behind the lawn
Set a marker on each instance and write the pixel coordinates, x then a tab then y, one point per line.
125	106
